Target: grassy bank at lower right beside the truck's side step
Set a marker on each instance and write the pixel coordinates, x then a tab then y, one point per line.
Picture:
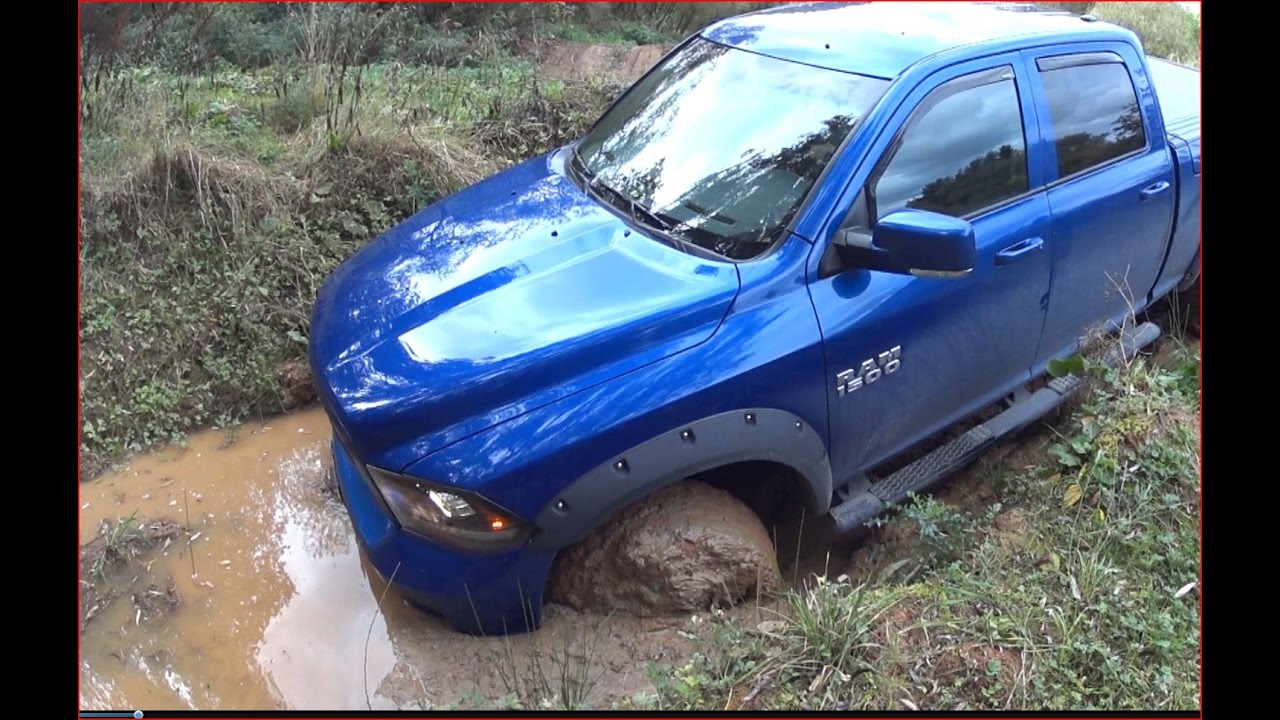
1060	595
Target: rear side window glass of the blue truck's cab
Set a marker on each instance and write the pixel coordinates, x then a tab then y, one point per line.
1095	116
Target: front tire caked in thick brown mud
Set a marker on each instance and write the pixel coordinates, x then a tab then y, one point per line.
685	548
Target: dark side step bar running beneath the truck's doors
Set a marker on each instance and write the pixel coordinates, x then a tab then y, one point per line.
874	499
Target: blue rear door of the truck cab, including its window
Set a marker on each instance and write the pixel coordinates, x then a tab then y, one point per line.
1110	188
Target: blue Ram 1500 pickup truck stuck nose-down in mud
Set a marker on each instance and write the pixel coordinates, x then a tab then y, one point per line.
802	247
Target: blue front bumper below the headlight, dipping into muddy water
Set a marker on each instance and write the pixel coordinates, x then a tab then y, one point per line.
479	594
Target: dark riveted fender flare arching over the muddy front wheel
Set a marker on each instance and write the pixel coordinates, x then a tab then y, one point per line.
737	436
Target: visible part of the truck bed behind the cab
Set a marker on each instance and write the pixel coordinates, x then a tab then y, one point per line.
1178	89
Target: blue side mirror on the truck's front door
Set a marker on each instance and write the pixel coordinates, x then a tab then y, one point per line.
917	243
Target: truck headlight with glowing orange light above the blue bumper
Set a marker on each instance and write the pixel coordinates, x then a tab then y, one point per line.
449	516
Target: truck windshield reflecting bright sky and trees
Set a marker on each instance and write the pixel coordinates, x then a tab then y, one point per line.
719	148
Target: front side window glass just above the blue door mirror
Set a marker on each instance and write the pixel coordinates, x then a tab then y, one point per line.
963	151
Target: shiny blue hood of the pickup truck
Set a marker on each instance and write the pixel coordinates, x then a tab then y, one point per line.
495	302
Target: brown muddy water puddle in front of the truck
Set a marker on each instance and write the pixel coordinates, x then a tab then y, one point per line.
284	613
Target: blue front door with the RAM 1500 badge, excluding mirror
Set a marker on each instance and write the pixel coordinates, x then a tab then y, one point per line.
909	356
